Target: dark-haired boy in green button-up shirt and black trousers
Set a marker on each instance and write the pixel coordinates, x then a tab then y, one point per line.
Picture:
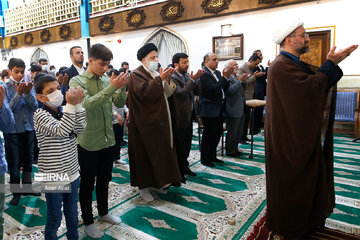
96	144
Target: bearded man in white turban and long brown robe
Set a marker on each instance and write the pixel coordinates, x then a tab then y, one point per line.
299	166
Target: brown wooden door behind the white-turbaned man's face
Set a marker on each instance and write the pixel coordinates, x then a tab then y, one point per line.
319	48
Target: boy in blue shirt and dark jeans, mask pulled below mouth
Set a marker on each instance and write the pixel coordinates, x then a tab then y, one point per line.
19	142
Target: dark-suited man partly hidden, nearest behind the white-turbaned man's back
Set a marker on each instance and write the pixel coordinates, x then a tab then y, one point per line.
260	92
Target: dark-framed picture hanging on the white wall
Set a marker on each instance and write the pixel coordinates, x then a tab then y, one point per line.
229	47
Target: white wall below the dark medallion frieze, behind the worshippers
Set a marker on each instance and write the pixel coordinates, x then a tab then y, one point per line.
258	28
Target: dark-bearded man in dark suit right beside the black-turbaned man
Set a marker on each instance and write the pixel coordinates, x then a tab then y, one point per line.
181	106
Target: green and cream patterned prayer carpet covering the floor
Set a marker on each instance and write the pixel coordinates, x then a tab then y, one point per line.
205	207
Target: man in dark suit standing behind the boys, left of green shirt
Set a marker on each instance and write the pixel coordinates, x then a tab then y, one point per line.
77	58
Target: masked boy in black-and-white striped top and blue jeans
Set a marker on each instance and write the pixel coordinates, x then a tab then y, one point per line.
56	131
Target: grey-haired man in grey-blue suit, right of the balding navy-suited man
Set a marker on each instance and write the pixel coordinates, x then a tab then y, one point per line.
235	107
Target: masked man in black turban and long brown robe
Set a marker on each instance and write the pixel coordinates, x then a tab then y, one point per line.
152	156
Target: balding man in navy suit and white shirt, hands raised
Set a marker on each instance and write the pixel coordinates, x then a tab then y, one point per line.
212	106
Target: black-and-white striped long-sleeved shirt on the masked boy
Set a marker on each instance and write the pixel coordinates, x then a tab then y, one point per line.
56	134
